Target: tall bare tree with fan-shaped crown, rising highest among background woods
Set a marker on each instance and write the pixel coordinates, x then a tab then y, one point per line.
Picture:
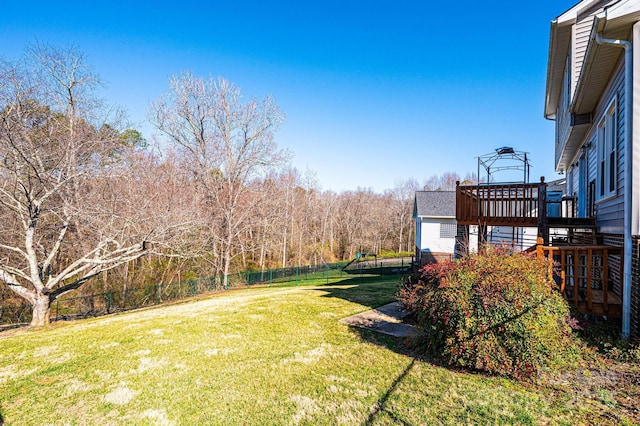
228	143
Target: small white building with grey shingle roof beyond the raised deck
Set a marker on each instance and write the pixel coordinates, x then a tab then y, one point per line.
436	228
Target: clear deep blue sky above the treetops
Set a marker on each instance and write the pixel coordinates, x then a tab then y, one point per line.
374	91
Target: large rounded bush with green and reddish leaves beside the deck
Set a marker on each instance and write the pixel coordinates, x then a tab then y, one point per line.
497	312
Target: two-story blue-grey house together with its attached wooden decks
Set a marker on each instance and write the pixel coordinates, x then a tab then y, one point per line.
589	227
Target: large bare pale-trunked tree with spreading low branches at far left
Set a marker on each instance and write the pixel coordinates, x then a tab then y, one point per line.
53	150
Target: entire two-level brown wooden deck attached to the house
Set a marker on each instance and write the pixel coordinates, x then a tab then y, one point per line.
588	274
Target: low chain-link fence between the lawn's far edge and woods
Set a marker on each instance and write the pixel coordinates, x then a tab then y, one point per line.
137	297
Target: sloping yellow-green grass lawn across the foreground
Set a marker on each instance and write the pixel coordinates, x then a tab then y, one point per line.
263	356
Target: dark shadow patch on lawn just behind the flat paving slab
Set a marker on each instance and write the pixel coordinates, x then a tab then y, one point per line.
368	291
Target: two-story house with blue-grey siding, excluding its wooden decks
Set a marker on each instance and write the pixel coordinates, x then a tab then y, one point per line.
592	91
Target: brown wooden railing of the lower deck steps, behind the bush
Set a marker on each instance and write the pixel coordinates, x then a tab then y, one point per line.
586	276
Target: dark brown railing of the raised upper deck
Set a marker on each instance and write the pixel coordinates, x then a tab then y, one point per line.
500	204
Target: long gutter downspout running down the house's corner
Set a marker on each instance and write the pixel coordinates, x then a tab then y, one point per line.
628	177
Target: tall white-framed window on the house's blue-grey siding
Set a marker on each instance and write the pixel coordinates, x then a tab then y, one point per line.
607	144
